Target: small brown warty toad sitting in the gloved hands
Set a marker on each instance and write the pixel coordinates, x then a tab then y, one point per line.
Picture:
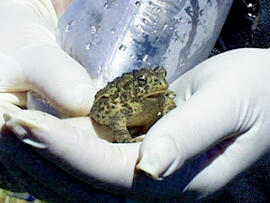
133	101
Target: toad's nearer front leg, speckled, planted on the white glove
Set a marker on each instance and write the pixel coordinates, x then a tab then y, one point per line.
119	128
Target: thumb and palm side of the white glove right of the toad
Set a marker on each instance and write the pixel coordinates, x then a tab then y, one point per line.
223	110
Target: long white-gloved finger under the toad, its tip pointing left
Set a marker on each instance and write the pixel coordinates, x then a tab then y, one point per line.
78	148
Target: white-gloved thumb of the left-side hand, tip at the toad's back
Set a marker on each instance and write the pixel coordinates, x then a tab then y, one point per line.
60	79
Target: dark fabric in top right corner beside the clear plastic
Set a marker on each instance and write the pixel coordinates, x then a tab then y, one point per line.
247	25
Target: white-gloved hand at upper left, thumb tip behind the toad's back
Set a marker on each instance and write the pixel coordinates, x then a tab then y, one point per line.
32	60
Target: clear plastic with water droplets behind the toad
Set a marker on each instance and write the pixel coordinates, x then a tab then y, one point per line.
110	37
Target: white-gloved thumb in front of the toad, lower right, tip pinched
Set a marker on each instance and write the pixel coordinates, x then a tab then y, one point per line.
184	133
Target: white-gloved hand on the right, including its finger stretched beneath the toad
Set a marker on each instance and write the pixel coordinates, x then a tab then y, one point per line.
218	130
